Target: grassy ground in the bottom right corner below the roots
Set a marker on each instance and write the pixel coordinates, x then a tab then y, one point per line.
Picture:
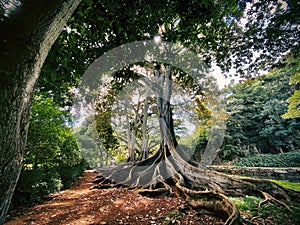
269	212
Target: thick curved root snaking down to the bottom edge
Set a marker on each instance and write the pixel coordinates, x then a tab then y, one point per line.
212	201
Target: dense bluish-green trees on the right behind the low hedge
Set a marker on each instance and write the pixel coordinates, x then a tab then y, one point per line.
254	109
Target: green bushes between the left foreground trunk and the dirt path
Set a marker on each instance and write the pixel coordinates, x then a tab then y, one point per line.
52	158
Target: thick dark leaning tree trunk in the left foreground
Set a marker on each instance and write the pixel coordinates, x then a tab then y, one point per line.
25	40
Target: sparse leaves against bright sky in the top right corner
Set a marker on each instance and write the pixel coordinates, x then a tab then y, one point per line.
268	33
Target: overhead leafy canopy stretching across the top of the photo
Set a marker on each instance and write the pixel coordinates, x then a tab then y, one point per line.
232	34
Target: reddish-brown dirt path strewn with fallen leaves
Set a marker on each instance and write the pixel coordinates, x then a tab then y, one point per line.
83	205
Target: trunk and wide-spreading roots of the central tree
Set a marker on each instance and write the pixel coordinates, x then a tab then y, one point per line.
168	168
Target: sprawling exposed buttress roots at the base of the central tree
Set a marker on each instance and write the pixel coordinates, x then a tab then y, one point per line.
166	171
